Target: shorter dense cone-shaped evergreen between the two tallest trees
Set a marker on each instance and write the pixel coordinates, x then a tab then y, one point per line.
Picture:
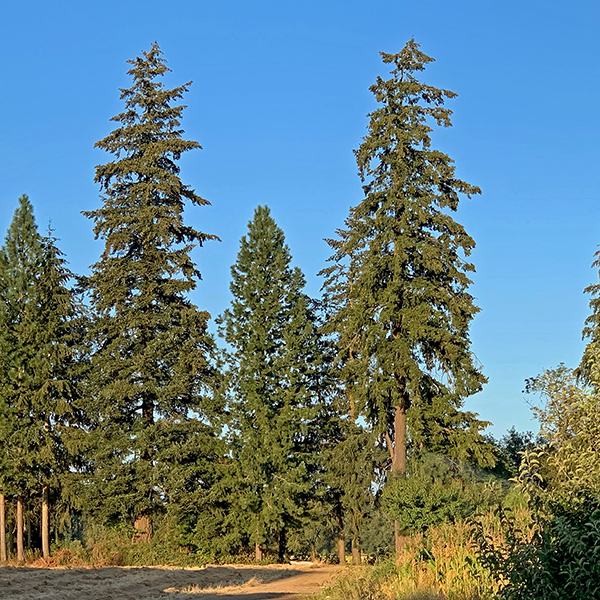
274	370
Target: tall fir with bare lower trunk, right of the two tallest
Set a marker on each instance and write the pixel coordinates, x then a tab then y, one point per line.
399	279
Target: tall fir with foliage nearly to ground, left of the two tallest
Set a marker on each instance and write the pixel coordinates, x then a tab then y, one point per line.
151	372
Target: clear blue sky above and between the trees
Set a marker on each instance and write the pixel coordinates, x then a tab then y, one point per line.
279	101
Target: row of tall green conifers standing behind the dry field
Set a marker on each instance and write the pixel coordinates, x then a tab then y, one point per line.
116	401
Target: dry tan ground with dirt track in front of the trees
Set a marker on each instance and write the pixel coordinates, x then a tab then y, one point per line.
213	582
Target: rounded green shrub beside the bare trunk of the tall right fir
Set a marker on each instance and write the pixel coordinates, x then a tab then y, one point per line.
437	490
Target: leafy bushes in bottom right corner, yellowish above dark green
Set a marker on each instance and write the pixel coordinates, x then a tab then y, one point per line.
559	559
